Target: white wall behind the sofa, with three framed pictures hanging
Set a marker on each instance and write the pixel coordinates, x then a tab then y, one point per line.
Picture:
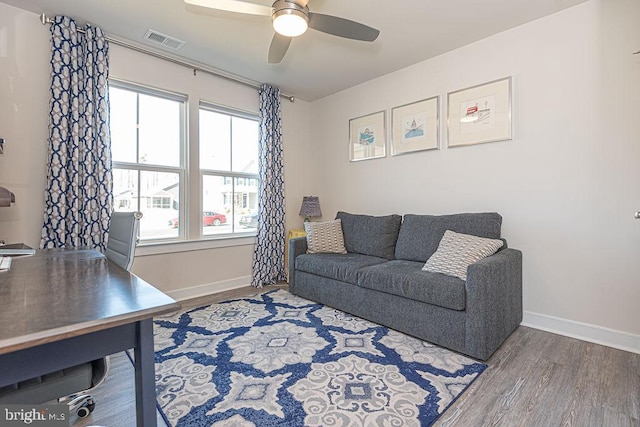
566	185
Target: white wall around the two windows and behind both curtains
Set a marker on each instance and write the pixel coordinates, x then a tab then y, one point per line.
24	109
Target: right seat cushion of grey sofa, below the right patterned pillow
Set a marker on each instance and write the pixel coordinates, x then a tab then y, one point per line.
407	279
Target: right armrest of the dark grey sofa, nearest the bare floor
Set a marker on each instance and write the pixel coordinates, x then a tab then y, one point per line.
494	301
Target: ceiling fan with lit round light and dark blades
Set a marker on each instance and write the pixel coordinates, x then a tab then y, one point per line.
291	18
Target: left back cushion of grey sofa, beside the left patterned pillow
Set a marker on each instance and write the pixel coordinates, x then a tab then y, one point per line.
370	235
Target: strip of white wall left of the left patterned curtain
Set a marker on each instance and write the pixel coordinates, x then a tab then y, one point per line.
24	111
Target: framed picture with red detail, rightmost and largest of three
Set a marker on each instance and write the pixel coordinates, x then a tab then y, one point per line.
480	114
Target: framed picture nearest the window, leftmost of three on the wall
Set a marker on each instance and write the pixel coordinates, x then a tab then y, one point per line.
367	137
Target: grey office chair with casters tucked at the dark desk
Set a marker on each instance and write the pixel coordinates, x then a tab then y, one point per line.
72	384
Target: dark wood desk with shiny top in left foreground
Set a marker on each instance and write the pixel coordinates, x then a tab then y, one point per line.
59	308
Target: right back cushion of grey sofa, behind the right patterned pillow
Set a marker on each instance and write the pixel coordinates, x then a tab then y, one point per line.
420	234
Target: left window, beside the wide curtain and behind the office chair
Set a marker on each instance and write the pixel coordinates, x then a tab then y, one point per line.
148	146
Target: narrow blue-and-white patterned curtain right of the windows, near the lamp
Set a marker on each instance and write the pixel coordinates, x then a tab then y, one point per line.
268	258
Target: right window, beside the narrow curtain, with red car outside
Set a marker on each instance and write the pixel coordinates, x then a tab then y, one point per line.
229	169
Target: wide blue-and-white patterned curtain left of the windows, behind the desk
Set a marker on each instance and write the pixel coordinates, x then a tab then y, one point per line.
78	196
